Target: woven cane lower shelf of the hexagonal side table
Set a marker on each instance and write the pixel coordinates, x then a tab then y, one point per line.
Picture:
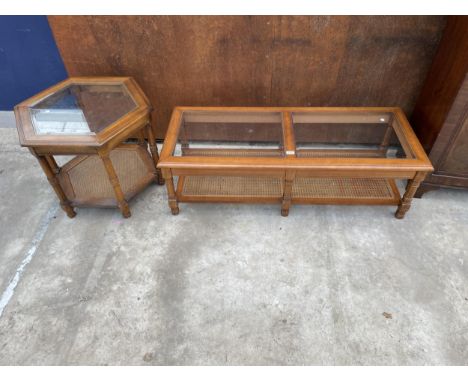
85	182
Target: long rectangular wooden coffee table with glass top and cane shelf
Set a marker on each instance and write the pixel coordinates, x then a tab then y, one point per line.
291	155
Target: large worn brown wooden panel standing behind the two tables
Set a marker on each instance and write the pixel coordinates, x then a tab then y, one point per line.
256	60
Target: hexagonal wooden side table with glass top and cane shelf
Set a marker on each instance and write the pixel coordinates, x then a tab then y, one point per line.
106	123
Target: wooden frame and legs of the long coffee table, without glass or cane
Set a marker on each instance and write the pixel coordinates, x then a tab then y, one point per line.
289	167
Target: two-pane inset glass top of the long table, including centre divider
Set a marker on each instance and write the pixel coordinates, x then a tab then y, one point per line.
354	133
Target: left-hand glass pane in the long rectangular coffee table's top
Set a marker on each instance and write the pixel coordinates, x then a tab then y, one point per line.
218	133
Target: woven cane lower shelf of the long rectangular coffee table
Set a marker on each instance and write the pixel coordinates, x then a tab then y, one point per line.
304	190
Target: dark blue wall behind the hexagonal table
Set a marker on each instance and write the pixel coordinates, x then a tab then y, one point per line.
29	58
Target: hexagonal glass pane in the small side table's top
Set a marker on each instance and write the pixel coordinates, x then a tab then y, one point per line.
81	109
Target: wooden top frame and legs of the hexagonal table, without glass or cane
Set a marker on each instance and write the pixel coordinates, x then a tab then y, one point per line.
135	124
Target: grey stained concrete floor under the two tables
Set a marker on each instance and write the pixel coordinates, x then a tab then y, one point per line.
228	284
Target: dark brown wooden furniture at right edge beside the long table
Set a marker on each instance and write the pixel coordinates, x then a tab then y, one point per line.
441	114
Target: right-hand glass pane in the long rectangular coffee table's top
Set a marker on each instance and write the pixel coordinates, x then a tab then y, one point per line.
350	134
